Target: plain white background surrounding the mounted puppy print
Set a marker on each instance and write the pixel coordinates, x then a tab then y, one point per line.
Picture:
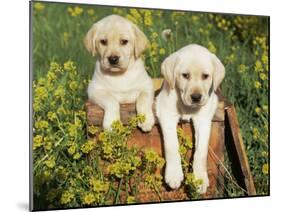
14	84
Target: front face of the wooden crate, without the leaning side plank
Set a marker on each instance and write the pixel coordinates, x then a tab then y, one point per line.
153	140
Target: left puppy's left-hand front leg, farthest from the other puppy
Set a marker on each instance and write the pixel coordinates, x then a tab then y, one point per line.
109	104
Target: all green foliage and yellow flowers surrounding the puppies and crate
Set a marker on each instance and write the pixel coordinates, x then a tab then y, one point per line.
63	176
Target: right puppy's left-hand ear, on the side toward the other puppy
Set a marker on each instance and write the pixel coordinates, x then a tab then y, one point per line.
168	69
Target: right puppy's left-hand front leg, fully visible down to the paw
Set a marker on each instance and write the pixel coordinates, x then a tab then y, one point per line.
173	170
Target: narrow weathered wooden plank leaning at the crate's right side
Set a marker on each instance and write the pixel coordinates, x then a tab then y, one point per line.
239	148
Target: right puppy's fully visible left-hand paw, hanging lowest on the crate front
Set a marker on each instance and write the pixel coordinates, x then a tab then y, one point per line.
173	176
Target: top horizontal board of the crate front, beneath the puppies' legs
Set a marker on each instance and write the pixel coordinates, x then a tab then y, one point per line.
95	113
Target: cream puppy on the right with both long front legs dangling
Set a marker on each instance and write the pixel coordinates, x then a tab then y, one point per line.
191	77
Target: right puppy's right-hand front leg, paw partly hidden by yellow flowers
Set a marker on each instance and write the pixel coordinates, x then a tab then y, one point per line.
202	134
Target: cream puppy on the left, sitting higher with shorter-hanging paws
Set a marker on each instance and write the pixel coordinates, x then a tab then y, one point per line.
119	75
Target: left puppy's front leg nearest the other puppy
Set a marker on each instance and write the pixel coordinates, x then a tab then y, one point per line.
144	106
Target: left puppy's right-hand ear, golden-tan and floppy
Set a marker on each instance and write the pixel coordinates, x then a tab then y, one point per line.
141	41
